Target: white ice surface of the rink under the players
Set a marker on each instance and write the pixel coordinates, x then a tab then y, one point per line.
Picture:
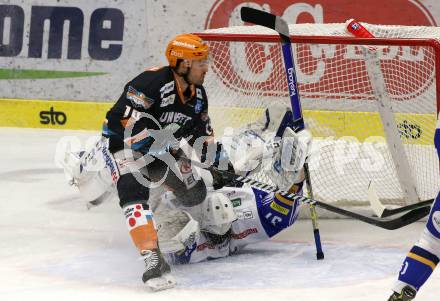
53	248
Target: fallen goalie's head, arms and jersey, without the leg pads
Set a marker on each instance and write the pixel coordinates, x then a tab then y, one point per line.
227	220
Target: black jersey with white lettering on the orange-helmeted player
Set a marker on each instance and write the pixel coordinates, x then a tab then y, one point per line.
154	100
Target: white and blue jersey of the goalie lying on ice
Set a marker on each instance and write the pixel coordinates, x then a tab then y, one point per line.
260	216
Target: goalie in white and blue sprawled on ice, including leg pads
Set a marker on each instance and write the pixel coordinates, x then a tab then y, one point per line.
230	217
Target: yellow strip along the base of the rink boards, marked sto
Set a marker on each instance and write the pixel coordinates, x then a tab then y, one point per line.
413	128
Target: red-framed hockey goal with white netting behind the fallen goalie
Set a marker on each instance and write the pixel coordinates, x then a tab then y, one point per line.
370	124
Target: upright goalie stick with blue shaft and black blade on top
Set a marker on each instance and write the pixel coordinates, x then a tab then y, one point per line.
297	123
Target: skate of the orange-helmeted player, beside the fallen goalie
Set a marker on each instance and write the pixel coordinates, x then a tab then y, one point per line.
157	275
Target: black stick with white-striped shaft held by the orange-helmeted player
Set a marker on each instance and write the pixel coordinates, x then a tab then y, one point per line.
389	224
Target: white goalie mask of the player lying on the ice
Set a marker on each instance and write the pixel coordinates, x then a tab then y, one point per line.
217	214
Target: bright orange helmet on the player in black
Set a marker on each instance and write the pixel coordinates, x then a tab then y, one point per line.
186	47
